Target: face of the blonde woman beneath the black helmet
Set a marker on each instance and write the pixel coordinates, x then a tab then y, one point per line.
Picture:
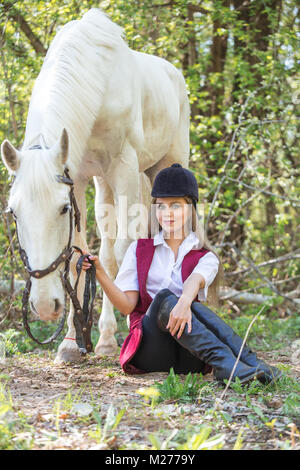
173	214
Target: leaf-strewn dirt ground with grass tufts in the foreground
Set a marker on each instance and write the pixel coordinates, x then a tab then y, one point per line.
57	401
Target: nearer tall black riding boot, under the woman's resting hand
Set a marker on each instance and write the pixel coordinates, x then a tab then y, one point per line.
202	343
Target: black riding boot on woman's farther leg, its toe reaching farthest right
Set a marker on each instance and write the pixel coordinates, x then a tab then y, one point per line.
226	334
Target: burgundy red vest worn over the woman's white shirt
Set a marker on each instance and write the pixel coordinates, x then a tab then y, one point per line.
144	253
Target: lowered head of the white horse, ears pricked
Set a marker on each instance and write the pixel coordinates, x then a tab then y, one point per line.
41	205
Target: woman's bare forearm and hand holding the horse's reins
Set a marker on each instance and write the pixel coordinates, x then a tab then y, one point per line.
125	302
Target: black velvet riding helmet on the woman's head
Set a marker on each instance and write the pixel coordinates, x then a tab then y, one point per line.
175	181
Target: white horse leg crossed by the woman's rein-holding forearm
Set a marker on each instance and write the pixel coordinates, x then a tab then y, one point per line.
105	217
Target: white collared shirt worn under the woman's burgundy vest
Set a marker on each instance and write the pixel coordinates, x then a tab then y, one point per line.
164	271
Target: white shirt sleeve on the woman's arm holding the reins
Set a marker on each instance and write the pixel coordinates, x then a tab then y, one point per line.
127	276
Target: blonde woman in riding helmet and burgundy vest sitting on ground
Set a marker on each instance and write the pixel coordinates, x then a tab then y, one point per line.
160	285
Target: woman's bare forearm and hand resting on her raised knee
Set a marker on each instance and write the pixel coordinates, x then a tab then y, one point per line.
181	313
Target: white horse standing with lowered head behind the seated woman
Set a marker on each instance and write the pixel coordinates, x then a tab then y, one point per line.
127	116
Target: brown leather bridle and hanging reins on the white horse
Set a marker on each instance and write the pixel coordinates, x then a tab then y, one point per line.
82	315
